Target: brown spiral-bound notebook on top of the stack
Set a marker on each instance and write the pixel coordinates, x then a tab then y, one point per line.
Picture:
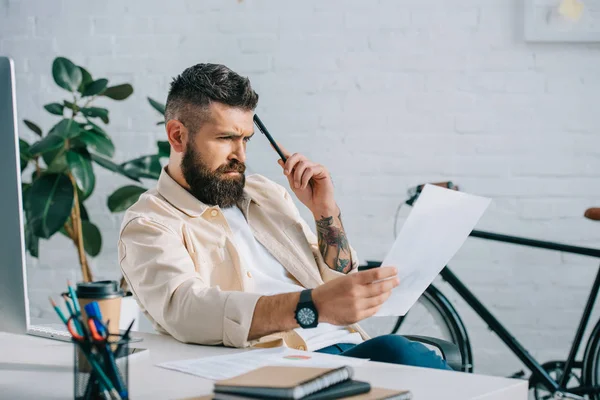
280	382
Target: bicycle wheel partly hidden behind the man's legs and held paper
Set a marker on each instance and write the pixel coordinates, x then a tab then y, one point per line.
432	315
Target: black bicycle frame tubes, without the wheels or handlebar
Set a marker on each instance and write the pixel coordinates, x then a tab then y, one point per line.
536	368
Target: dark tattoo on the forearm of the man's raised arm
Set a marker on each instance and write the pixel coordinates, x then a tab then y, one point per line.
333	243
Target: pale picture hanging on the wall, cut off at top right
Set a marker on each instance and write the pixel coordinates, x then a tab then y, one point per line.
562	20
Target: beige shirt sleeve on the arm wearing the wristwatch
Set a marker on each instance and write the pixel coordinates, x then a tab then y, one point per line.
162	276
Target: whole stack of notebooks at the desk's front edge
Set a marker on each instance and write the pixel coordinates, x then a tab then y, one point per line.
279	382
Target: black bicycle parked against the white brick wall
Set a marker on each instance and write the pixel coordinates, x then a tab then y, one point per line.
552	379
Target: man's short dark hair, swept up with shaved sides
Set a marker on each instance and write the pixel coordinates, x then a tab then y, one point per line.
193	91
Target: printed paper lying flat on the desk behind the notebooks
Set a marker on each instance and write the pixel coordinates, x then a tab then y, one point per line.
230	365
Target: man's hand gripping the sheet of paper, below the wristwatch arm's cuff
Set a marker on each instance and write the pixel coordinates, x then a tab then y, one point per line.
352	298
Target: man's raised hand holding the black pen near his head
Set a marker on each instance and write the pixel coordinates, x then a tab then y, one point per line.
310	182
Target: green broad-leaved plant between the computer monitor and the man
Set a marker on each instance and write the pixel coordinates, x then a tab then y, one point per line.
63	159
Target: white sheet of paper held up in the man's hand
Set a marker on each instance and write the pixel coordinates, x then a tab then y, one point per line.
434	231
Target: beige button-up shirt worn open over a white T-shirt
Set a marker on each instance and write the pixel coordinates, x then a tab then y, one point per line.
179	260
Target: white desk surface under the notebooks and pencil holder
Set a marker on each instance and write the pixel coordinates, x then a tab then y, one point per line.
37	368
